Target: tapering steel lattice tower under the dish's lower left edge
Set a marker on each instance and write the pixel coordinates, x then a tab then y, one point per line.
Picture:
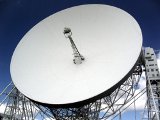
18	107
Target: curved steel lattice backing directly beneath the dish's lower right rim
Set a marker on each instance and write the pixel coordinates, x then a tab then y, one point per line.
104	107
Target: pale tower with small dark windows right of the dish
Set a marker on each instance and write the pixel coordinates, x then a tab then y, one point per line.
152	84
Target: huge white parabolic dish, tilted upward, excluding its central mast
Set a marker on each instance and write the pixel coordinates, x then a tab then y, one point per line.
42	65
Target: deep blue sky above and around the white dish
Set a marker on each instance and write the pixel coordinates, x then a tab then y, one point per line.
19	16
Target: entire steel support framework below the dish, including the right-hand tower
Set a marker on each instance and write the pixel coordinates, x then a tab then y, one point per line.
18	107
